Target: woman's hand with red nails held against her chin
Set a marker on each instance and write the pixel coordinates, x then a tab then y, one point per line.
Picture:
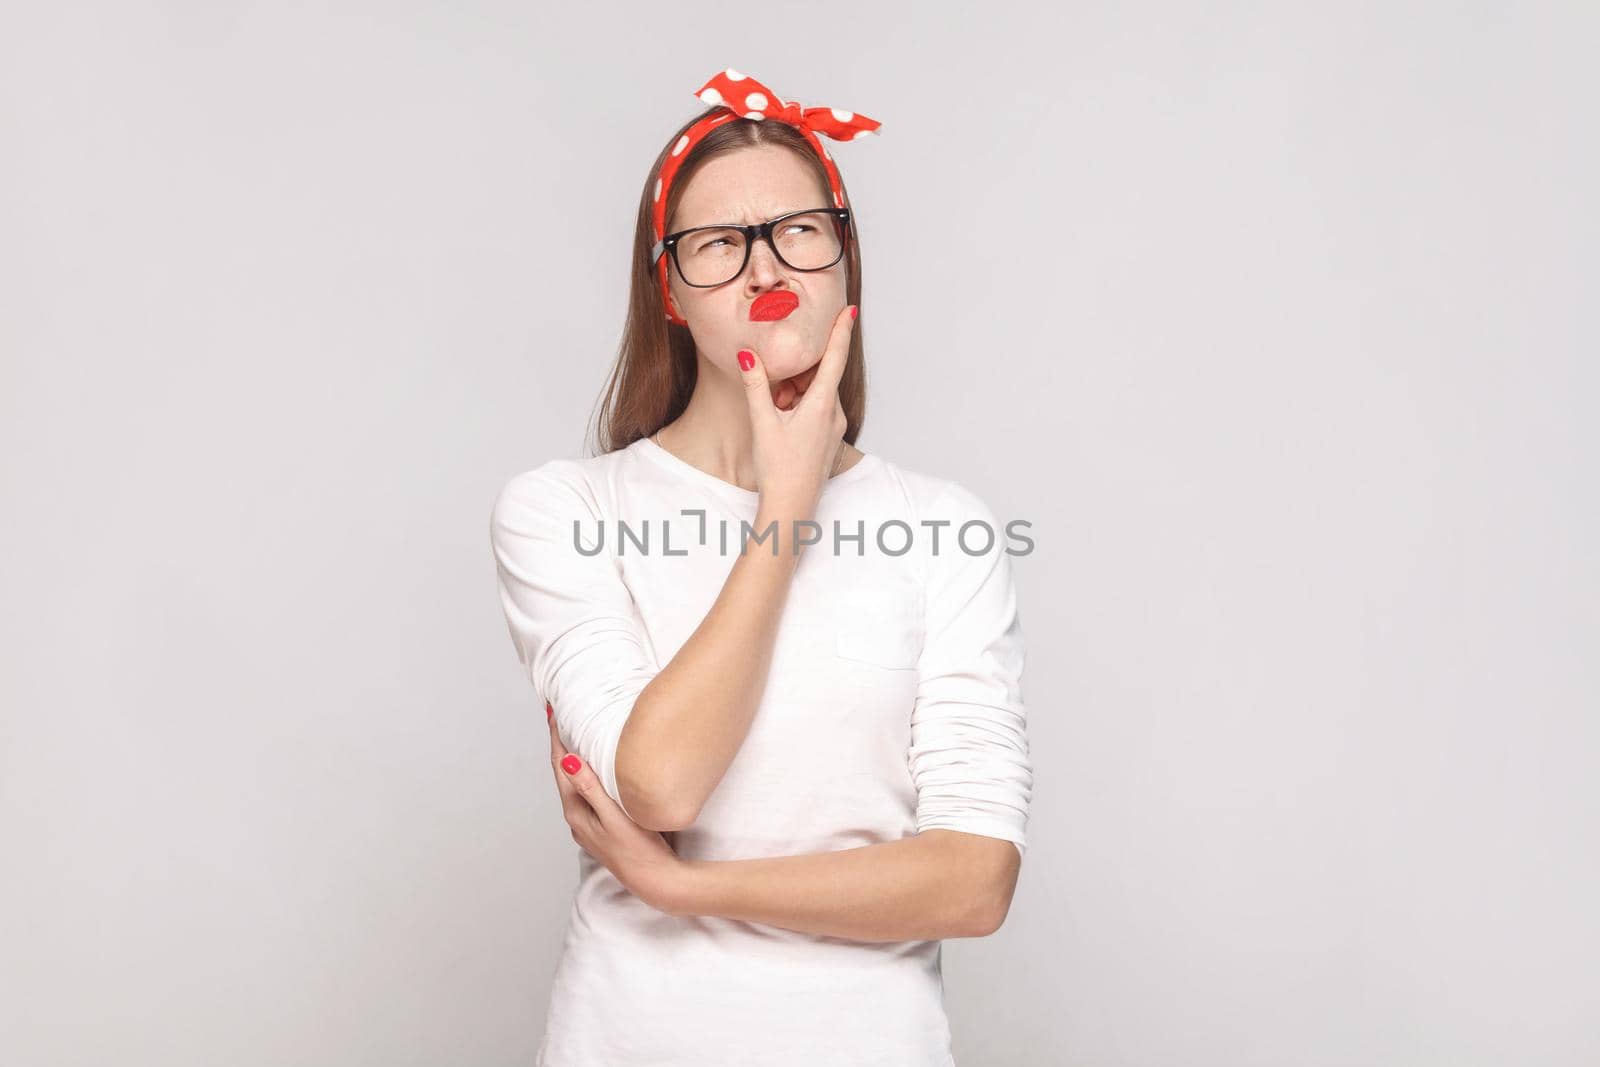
796	450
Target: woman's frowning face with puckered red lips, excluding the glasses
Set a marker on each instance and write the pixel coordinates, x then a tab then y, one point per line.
753	186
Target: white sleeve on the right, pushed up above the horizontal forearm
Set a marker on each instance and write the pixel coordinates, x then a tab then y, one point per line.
969	732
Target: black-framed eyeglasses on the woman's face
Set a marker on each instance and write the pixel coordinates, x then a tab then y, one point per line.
714	255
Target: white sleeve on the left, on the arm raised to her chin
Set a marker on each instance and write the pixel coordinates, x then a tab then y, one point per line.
572	618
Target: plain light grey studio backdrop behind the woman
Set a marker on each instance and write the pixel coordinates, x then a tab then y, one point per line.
1278	326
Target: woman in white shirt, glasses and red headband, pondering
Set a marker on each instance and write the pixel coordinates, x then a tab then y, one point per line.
793	765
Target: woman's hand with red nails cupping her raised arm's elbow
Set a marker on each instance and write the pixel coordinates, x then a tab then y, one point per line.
639	858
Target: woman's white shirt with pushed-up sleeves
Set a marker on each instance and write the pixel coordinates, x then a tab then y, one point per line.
892	706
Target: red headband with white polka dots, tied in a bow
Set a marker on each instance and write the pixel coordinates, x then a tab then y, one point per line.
740	95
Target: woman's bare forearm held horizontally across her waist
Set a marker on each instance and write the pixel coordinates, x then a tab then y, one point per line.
918	889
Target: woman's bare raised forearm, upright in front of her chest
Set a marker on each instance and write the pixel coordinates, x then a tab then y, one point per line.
694	717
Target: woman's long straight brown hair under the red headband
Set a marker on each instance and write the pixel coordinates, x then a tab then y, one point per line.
655	369
